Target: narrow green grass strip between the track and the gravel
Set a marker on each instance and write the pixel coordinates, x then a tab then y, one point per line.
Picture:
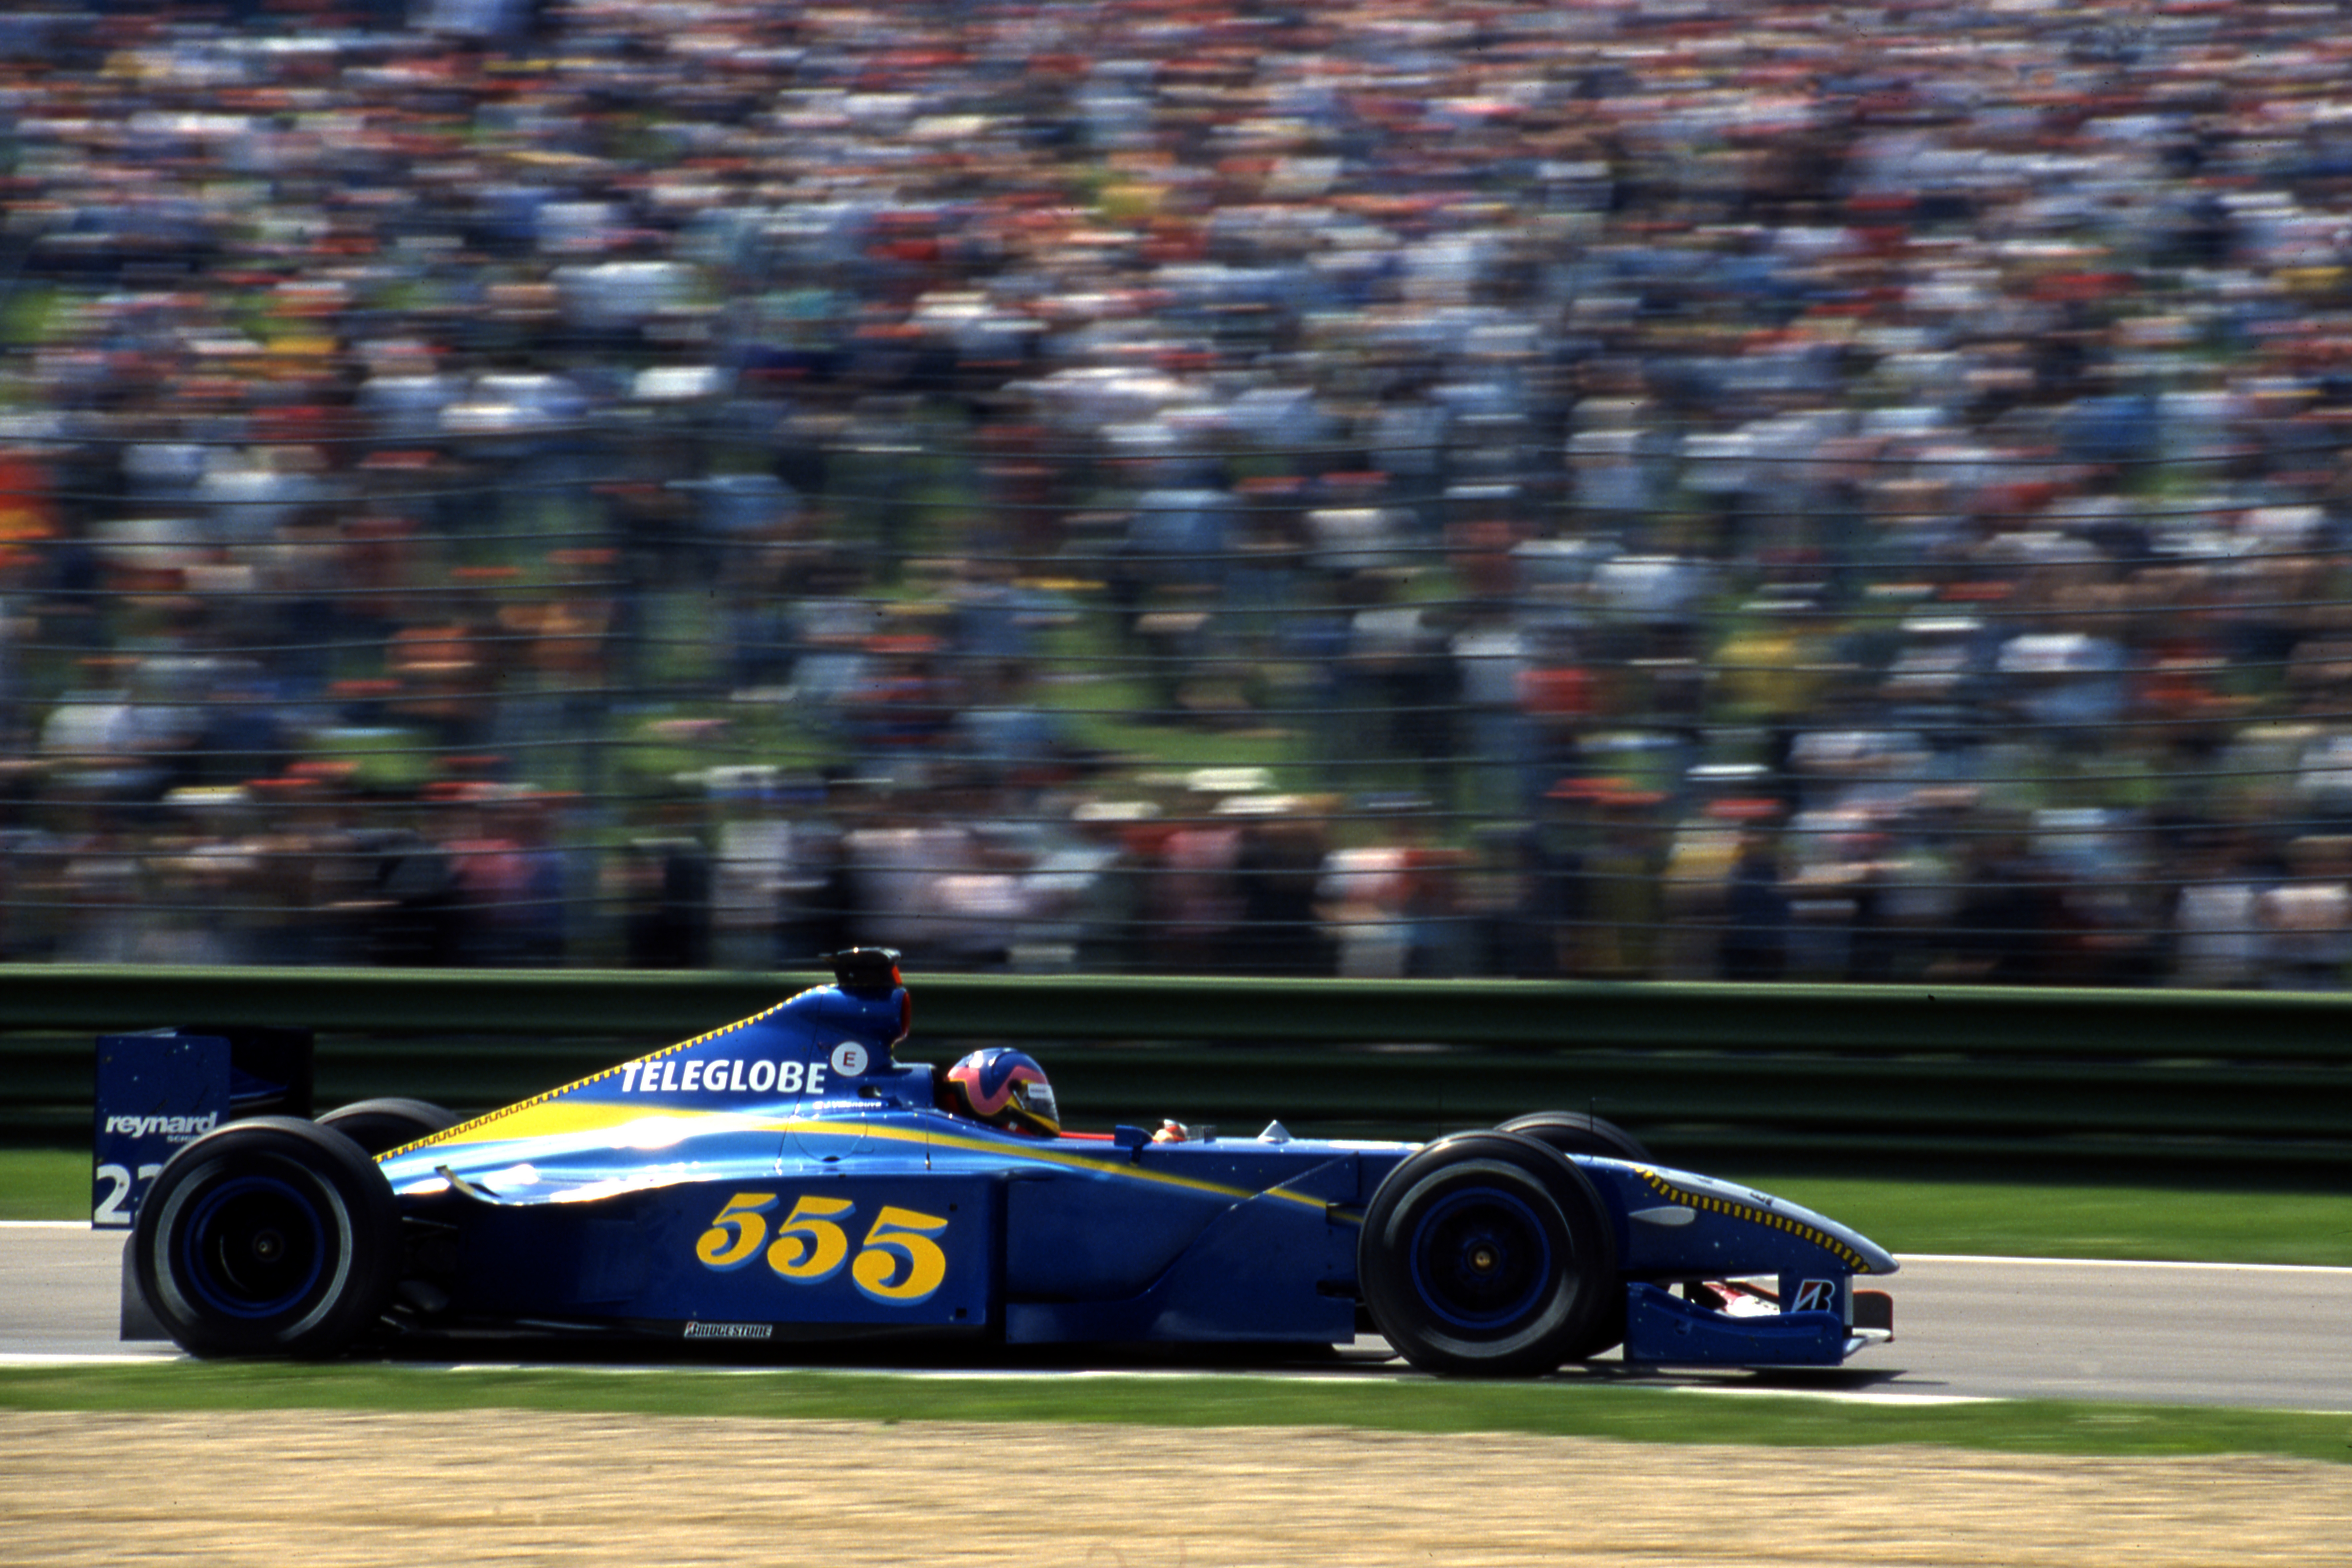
1212	1400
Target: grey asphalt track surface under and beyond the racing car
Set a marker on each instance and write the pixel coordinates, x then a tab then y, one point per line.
1965	1329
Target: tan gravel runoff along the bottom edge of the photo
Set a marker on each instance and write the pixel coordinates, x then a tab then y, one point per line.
495	1487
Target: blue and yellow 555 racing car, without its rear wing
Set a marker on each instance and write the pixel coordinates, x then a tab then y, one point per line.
787	1181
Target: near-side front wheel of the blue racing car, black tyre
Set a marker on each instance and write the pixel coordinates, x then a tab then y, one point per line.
1490	1254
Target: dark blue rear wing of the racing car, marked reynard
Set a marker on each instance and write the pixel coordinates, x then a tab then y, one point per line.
166	1087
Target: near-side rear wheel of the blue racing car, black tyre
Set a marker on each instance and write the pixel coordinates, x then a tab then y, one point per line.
267	1238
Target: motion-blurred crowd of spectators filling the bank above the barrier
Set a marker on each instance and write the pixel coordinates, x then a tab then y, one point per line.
1629	490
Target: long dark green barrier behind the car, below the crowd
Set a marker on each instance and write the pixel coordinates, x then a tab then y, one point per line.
1791	1073
